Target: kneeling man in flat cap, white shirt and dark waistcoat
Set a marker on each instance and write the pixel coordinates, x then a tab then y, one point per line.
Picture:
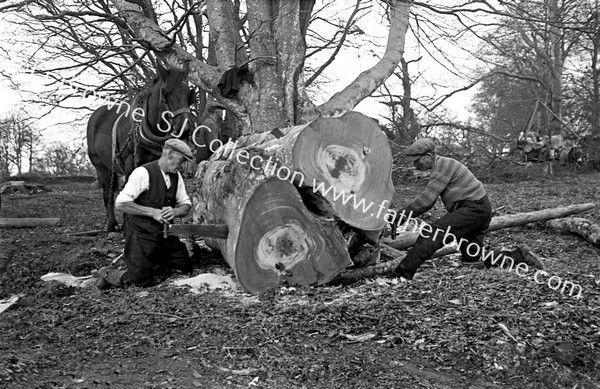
153	196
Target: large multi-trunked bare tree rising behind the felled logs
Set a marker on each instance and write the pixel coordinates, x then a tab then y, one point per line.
110	47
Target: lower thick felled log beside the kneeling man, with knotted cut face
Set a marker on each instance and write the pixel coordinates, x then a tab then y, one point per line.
272	236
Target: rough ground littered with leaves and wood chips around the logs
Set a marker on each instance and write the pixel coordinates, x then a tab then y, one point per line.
451	327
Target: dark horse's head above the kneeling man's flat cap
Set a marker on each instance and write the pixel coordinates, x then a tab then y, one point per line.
174	98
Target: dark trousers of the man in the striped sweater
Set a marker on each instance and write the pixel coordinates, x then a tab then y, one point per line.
467	221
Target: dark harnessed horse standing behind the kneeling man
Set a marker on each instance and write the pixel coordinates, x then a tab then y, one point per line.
122	136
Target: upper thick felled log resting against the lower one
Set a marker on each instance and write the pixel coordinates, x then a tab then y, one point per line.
341	165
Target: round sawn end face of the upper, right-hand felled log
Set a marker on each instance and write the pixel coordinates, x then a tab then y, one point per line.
348	161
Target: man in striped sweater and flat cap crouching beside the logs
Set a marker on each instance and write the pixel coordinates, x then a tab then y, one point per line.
469	213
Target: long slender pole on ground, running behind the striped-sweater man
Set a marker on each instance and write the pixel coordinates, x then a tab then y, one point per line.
408	239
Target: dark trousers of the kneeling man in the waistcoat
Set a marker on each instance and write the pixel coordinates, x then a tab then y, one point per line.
146	255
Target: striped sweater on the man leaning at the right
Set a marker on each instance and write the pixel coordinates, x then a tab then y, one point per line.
452	181
